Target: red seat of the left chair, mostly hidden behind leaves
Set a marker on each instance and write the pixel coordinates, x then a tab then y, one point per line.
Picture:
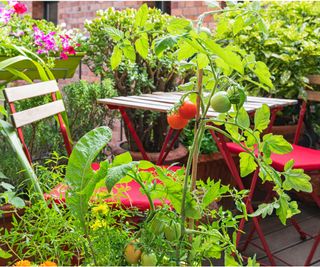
132	197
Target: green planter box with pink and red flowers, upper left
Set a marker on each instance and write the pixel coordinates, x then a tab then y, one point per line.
57	46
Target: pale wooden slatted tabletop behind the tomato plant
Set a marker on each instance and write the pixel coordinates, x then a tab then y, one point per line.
164	101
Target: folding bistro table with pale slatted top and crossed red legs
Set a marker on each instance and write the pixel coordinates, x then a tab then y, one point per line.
164	101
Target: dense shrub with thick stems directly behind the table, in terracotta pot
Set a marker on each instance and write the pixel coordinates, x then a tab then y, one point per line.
120	45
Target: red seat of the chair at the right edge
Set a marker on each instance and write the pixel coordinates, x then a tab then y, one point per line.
304	158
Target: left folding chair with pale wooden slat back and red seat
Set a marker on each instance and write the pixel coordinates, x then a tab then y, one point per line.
22	118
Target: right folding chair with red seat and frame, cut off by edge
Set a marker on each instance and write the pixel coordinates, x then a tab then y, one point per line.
304	158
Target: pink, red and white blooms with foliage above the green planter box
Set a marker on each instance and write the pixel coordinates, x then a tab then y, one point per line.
39	36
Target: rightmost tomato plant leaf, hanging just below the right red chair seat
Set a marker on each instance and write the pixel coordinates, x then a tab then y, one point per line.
296	179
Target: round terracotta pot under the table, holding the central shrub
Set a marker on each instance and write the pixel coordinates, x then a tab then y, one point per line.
176	155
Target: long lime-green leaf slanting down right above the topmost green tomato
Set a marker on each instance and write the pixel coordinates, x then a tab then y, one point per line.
229	57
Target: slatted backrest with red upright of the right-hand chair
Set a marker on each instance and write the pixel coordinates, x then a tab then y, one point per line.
312	96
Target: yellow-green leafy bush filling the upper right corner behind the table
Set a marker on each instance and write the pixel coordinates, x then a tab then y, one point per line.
285	40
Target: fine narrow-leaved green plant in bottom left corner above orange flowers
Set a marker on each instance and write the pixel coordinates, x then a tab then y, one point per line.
43	234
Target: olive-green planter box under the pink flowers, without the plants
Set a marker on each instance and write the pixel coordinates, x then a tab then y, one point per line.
62	69
